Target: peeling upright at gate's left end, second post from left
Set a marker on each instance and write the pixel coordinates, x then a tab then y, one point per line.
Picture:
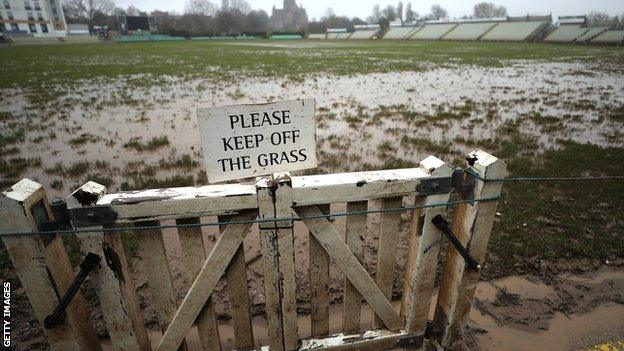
112	281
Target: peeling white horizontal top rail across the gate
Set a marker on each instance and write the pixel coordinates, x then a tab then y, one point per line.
158	204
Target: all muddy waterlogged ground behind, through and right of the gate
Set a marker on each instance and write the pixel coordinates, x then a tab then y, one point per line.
554	271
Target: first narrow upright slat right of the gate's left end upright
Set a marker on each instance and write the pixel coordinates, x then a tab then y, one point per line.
158	272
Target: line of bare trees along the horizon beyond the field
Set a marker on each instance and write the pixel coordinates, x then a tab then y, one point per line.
203	17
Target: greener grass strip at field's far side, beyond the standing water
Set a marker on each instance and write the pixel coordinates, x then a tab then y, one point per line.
60	64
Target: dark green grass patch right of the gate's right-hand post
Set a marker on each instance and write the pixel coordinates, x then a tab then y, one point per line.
560	220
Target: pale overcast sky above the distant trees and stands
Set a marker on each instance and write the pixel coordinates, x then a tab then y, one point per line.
362	8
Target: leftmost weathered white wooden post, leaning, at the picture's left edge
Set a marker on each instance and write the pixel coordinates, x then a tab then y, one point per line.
32	256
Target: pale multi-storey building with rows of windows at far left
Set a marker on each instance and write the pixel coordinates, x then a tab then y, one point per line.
32	17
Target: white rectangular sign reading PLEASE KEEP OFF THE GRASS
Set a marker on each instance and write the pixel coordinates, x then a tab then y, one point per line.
244	141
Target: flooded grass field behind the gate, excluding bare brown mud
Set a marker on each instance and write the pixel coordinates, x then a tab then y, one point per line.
124	115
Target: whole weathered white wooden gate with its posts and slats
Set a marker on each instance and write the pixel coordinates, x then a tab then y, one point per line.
273	203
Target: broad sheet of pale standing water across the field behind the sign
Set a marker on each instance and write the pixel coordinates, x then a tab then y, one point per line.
114	112
